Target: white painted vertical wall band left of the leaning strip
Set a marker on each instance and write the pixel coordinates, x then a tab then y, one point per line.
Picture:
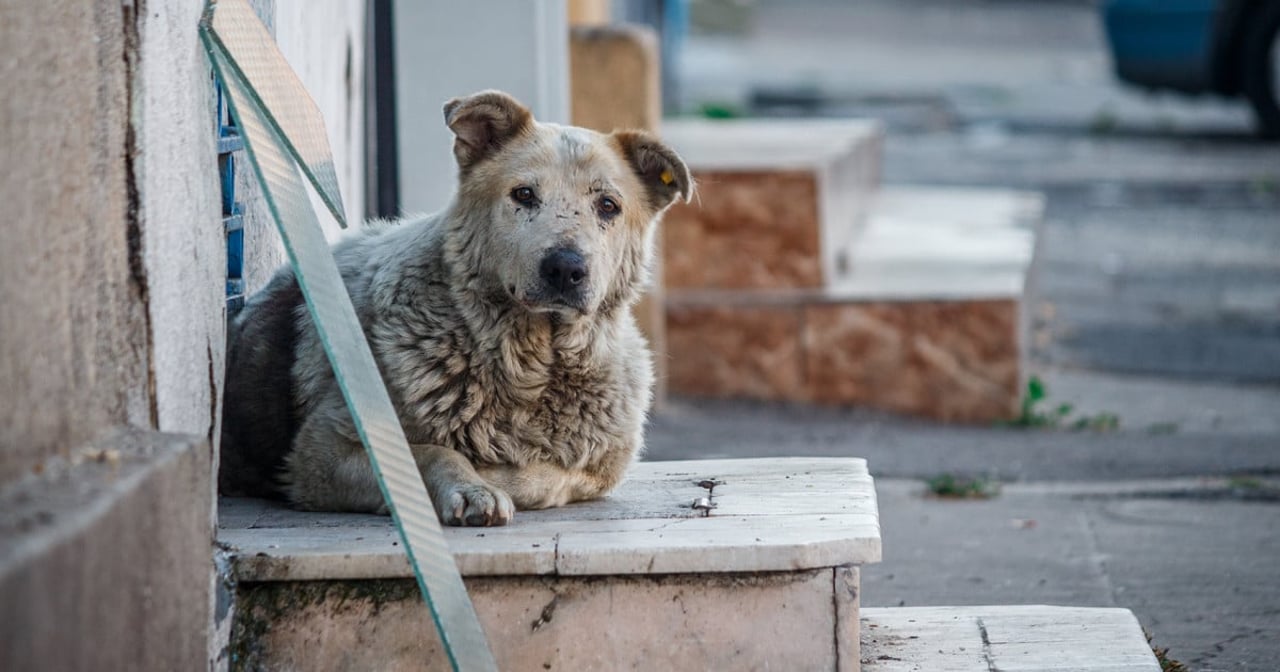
184	244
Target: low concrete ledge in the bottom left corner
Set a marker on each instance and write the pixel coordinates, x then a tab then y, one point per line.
106	561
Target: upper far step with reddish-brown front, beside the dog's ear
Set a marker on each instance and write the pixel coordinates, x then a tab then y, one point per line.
779	202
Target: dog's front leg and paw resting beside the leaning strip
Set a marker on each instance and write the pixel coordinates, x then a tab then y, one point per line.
461	496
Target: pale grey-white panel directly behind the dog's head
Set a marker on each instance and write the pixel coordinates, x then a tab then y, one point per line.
447	49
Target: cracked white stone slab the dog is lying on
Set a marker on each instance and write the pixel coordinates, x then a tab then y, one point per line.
770	515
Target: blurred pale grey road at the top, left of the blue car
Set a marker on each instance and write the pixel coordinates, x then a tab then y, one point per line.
1032	63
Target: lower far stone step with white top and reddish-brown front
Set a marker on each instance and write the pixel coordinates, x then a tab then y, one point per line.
927	321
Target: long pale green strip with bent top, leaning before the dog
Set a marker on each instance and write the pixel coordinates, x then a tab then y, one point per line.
273	158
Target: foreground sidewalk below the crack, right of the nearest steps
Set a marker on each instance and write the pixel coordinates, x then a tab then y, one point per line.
1196	564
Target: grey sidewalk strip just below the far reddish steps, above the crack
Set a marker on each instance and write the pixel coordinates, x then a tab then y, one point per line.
1168	429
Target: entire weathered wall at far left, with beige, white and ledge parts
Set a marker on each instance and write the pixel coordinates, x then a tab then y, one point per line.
112	317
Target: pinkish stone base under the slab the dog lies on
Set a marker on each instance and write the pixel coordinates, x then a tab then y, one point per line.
726	621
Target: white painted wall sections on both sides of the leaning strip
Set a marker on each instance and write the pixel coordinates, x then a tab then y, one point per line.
184	243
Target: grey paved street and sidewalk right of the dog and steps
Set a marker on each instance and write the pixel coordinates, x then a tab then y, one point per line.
1156	298
